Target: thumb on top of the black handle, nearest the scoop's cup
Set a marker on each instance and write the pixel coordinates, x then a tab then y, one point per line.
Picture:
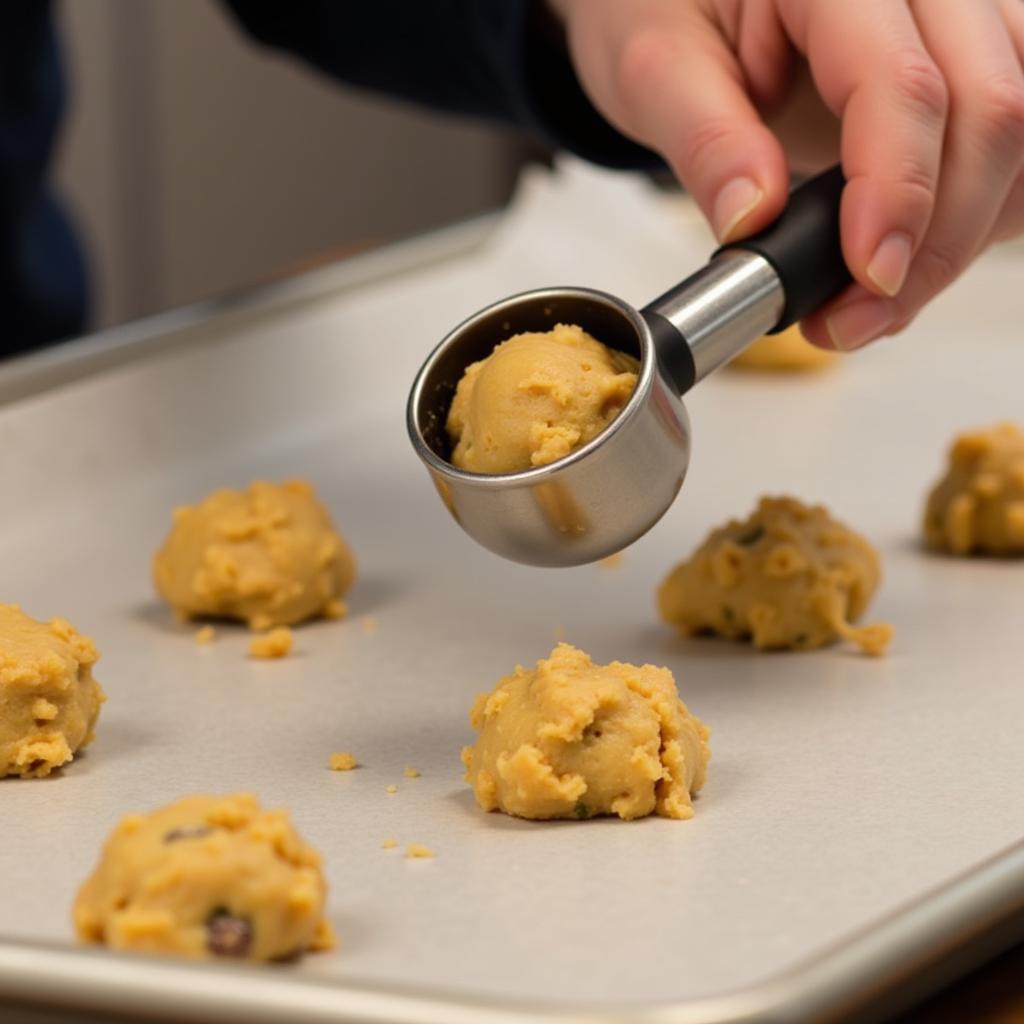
711	136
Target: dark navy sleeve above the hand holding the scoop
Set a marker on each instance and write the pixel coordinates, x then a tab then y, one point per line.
503	61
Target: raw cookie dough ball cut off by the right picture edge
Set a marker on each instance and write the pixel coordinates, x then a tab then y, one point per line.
978	506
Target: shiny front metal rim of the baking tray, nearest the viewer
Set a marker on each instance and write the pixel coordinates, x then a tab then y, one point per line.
876	972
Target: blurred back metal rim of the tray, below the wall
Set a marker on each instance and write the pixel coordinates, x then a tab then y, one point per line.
41	371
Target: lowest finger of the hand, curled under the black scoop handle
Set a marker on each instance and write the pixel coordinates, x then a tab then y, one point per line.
983	159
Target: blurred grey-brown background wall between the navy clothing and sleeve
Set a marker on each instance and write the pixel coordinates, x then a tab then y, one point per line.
196	162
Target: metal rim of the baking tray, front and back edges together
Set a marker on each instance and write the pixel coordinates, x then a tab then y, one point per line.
915	950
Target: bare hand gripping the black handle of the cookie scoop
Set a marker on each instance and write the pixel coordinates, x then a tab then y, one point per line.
927	97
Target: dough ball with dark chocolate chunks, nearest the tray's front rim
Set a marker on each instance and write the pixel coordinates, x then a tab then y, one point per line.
207	877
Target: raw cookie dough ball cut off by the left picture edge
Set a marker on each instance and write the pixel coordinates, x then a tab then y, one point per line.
49	700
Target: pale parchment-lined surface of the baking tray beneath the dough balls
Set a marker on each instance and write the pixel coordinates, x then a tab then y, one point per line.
841	789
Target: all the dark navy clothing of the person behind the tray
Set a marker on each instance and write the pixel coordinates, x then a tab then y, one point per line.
500	60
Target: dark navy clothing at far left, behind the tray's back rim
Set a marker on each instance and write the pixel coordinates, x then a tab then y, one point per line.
42	276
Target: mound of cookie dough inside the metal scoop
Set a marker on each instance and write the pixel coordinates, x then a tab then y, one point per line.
536	399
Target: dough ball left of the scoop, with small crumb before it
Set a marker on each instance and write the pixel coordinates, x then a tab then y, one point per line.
269	556
